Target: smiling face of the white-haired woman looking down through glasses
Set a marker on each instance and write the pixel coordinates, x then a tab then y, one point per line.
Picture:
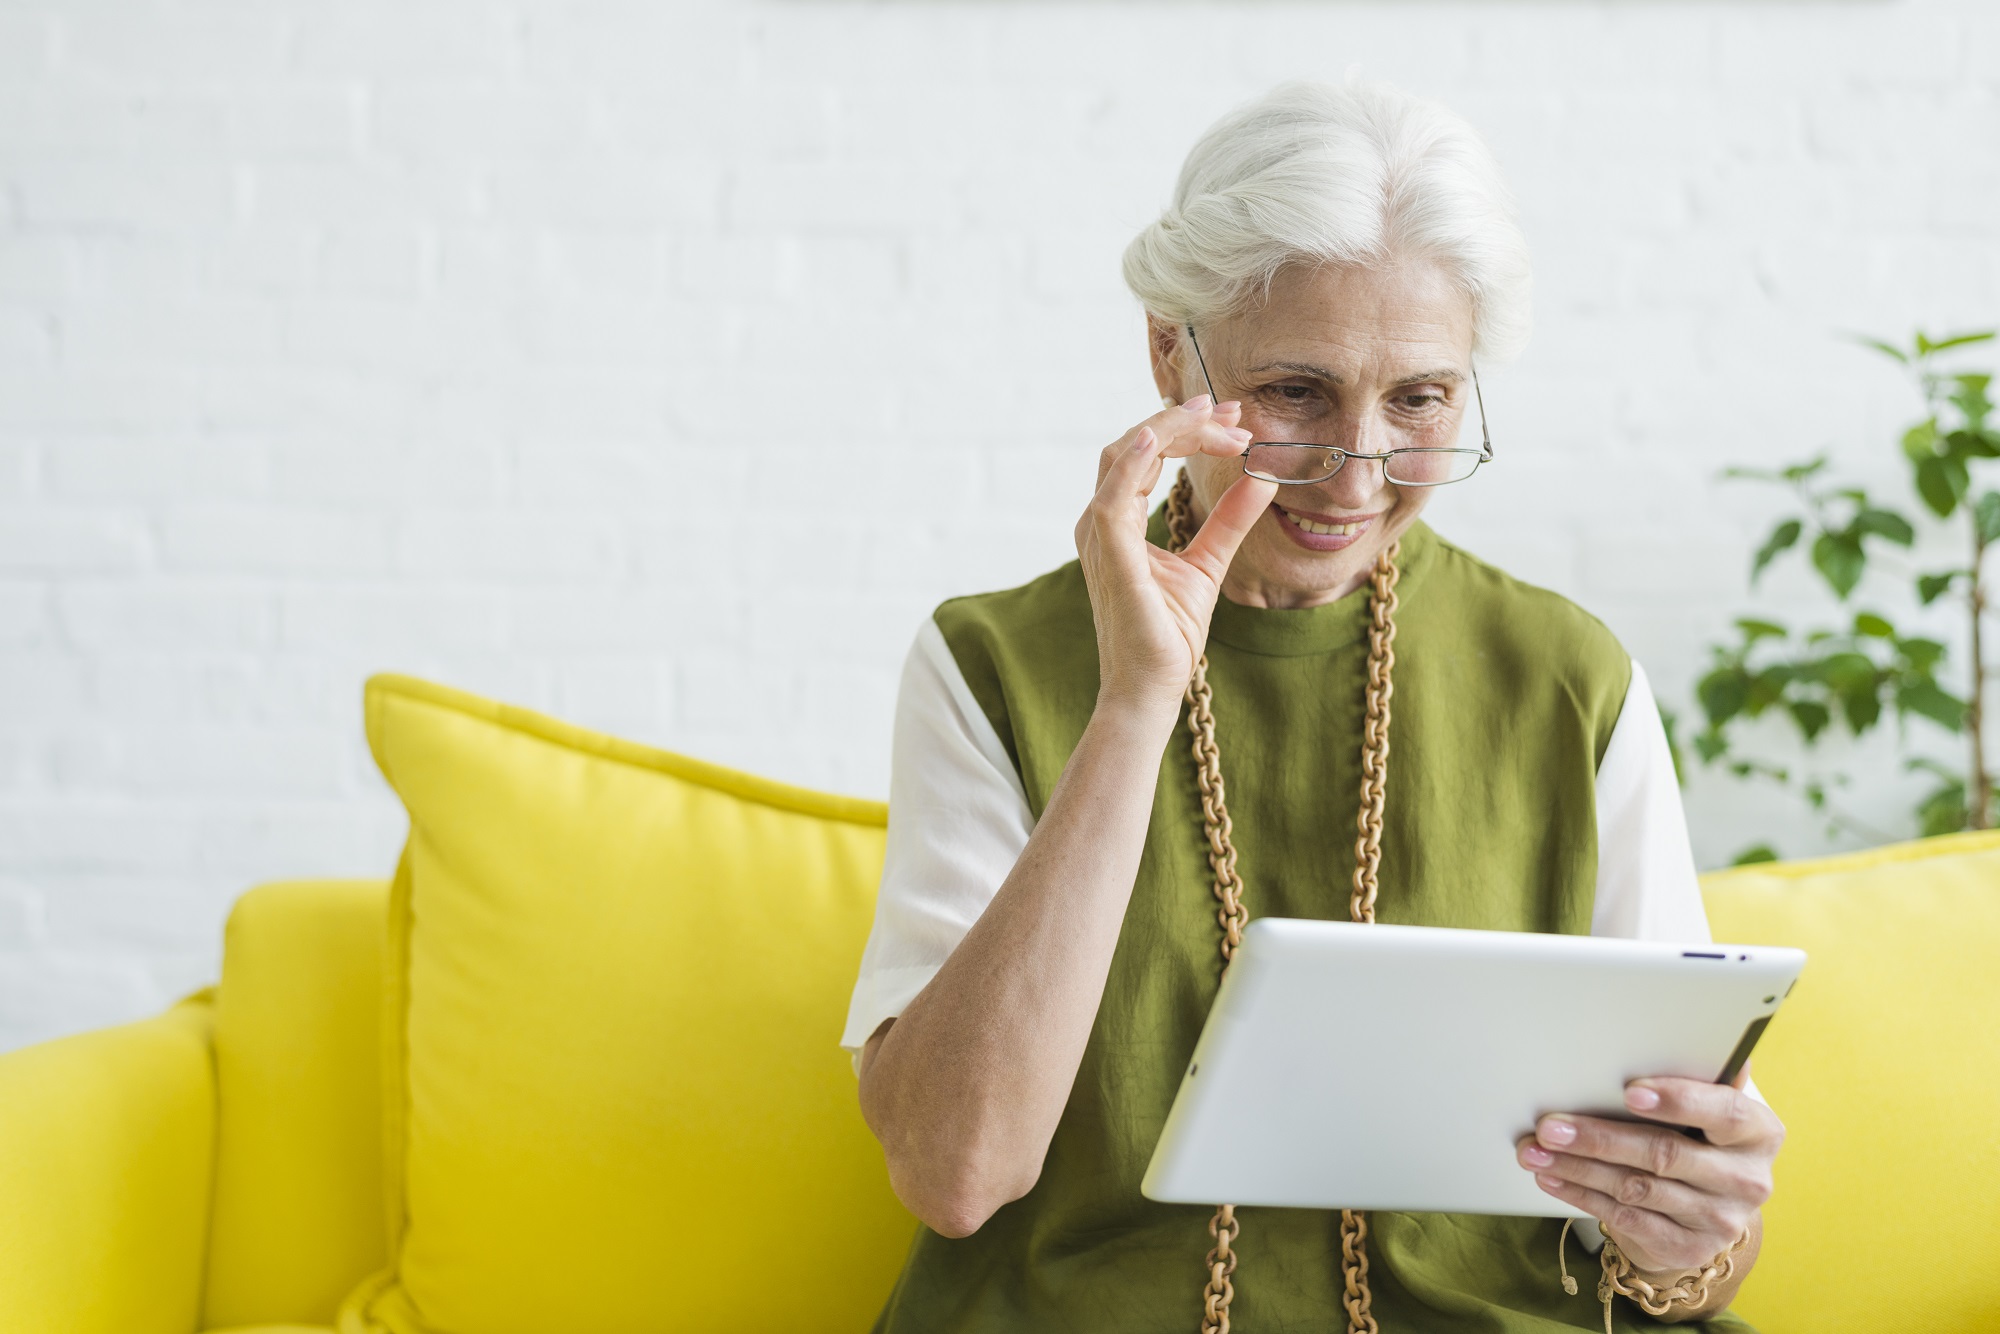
1363	359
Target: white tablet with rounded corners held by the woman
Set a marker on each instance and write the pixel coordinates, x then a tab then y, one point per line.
1397	1067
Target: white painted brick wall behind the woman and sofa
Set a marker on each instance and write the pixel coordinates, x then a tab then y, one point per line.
449	337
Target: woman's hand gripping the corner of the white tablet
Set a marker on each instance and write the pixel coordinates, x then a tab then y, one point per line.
1669	1199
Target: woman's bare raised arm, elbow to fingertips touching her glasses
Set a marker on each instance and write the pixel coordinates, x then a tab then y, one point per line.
967	1085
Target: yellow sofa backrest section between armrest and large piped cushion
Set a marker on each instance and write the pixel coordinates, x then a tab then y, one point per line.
299	1071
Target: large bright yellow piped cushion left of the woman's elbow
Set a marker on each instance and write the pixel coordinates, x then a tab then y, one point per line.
615	1091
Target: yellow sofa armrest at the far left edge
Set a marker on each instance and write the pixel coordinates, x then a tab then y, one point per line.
107	1151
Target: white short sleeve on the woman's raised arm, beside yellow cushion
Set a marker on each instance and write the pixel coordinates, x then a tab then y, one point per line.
957	823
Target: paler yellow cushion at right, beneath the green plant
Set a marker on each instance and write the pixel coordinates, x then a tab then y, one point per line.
1883	1067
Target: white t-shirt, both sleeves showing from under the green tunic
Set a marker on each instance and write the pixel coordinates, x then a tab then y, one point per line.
959	821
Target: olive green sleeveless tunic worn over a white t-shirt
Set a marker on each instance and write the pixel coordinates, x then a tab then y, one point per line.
1505	703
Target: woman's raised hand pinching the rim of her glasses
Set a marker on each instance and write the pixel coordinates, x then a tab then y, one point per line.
1153	607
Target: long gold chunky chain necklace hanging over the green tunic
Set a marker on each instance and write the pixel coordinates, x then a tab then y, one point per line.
1229	887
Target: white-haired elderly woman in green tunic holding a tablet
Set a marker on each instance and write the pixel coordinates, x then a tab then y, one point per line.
1335	267
